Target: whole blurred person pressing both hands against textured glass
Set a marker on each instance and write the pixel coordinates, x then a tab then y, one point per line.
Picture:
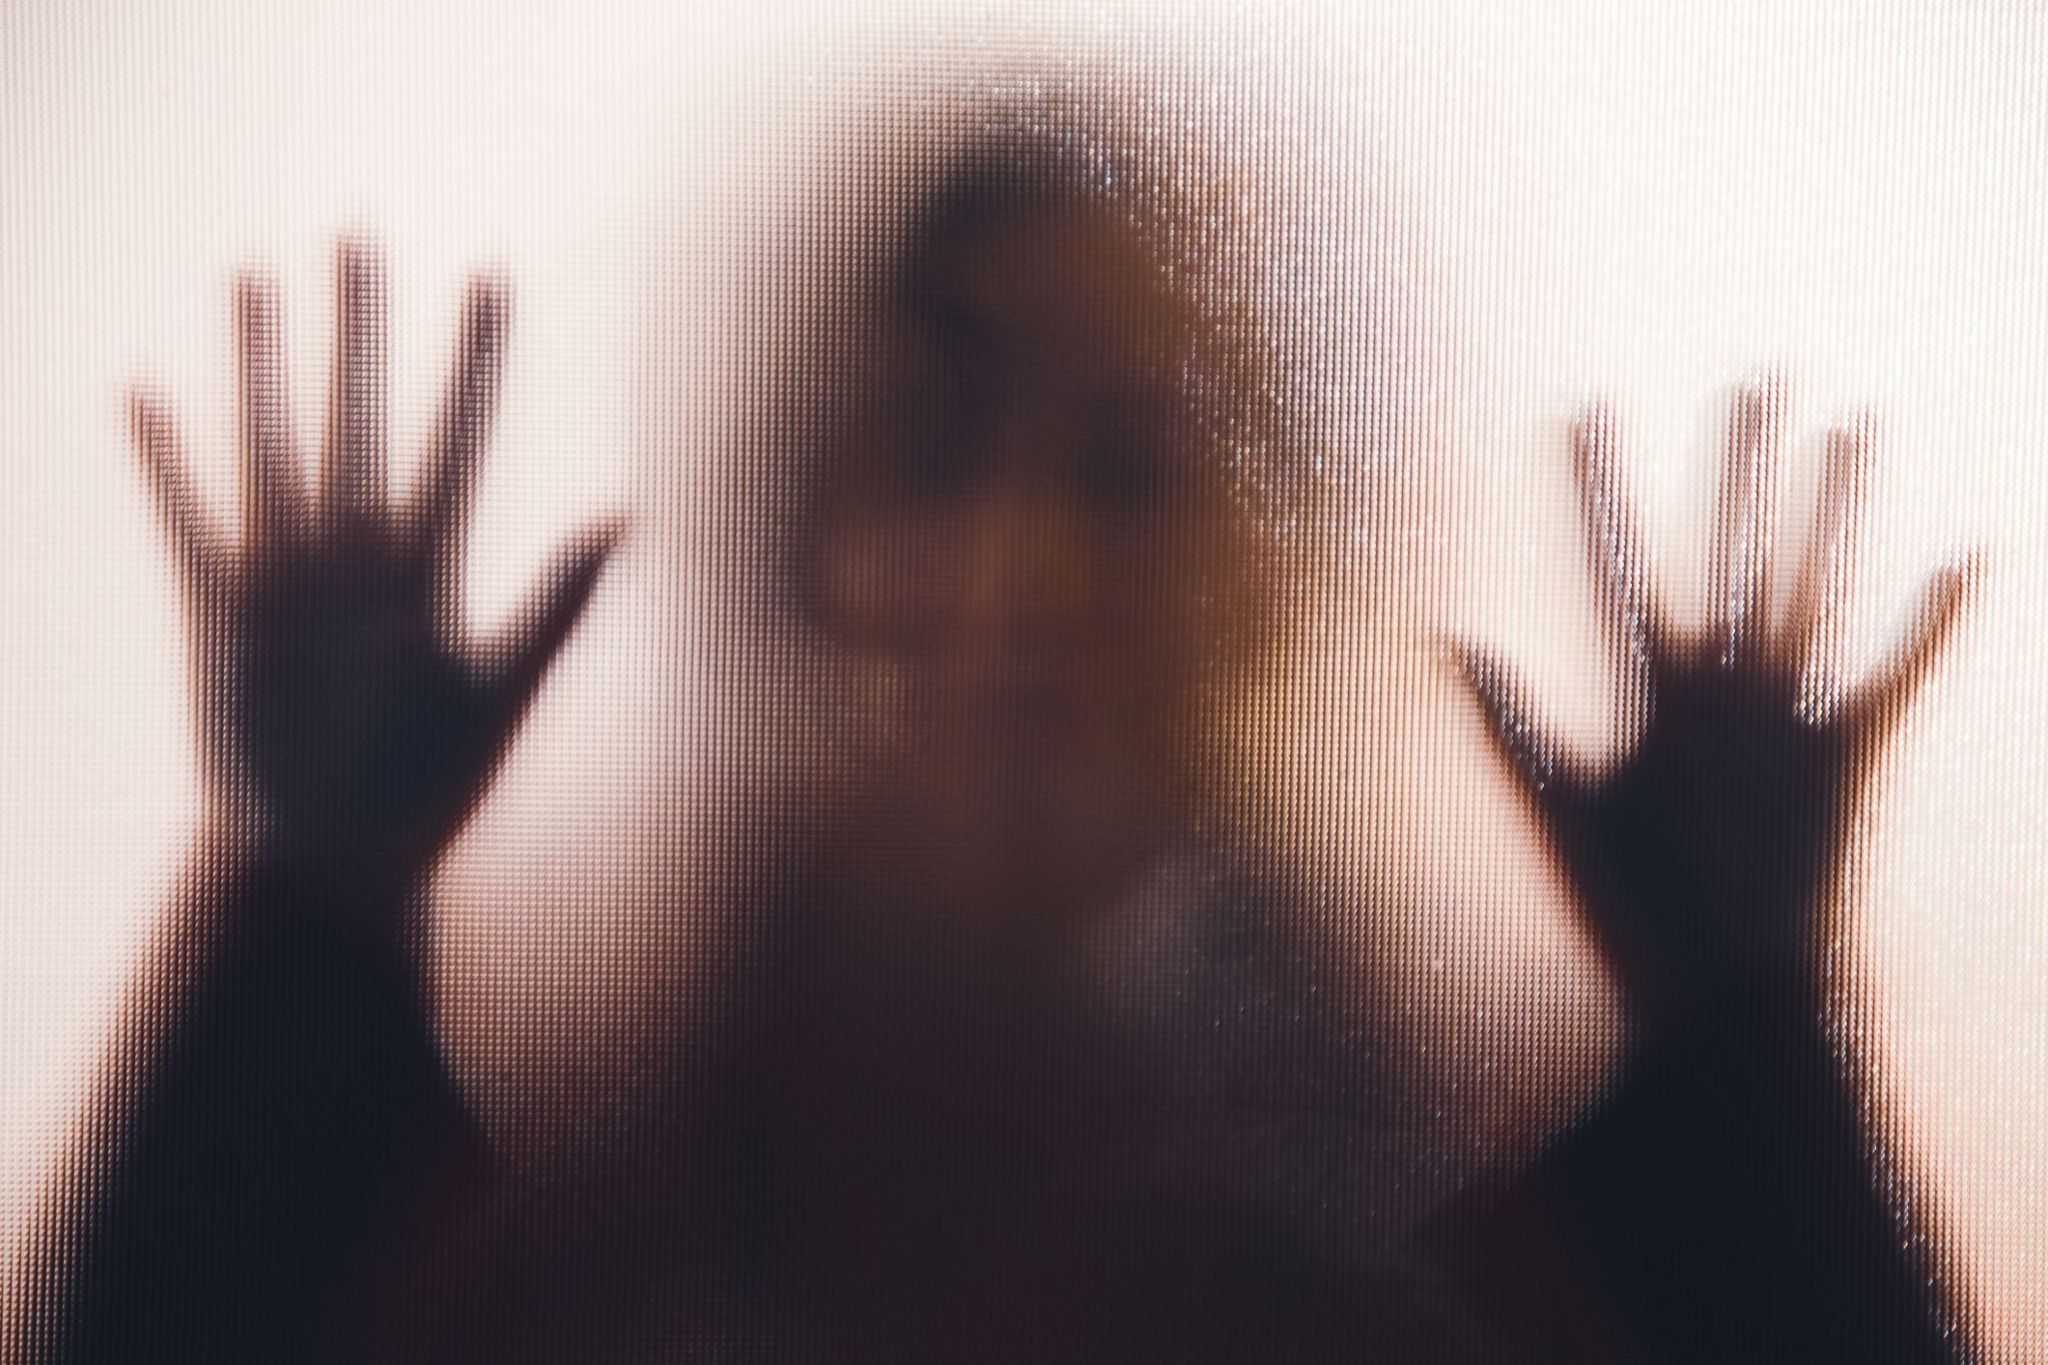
1017	1059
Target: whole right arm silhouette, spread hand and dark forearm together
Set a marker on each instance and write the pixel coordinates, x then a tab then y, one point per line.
1723	1198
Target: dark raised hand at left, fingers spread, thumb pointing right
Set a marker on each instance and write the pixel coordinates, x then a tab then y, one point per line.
345	719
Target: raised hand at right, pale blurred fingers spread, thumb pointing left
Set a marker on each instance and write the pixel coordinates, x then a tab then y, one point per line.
1705	856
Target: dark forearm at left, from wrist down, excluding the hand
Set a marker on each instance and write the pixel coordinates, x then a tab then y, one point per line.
273	1112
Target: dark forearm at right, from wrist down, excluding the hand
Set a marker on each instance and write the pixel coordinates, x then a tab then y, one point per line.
1725	1196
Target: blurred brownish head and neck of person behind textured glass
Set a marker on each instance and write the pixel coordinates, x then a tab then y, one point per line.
1029	523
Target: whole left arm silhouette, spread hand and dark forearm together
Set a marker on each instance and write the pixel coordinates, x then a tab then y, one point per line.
278	1114
